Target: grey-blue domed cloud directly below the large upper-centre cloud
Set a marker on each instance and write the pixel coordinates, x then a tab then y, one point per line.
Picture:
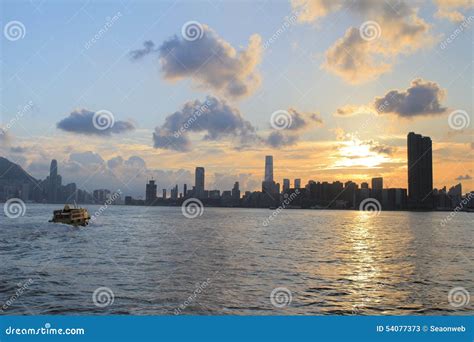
215	117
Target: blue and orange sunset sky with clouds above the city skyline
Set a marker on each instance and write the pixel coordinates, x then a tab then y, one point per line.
122	91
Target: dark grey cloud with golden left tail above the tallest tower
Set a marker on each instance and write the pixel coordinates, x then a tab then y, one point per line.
421	98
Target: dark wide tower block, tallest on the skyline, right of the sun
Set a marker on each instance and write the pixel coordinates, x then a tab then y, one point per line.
420	171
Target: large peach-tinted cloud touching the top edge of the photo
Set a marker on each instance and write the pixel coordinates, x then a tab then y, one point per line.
397	30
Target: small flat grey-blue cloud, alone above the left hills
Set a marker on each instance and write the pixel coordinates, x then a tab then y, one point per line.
82	122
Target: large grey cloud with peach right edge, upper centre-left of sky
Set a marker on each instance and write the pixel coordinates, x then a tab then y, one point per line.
211	62
